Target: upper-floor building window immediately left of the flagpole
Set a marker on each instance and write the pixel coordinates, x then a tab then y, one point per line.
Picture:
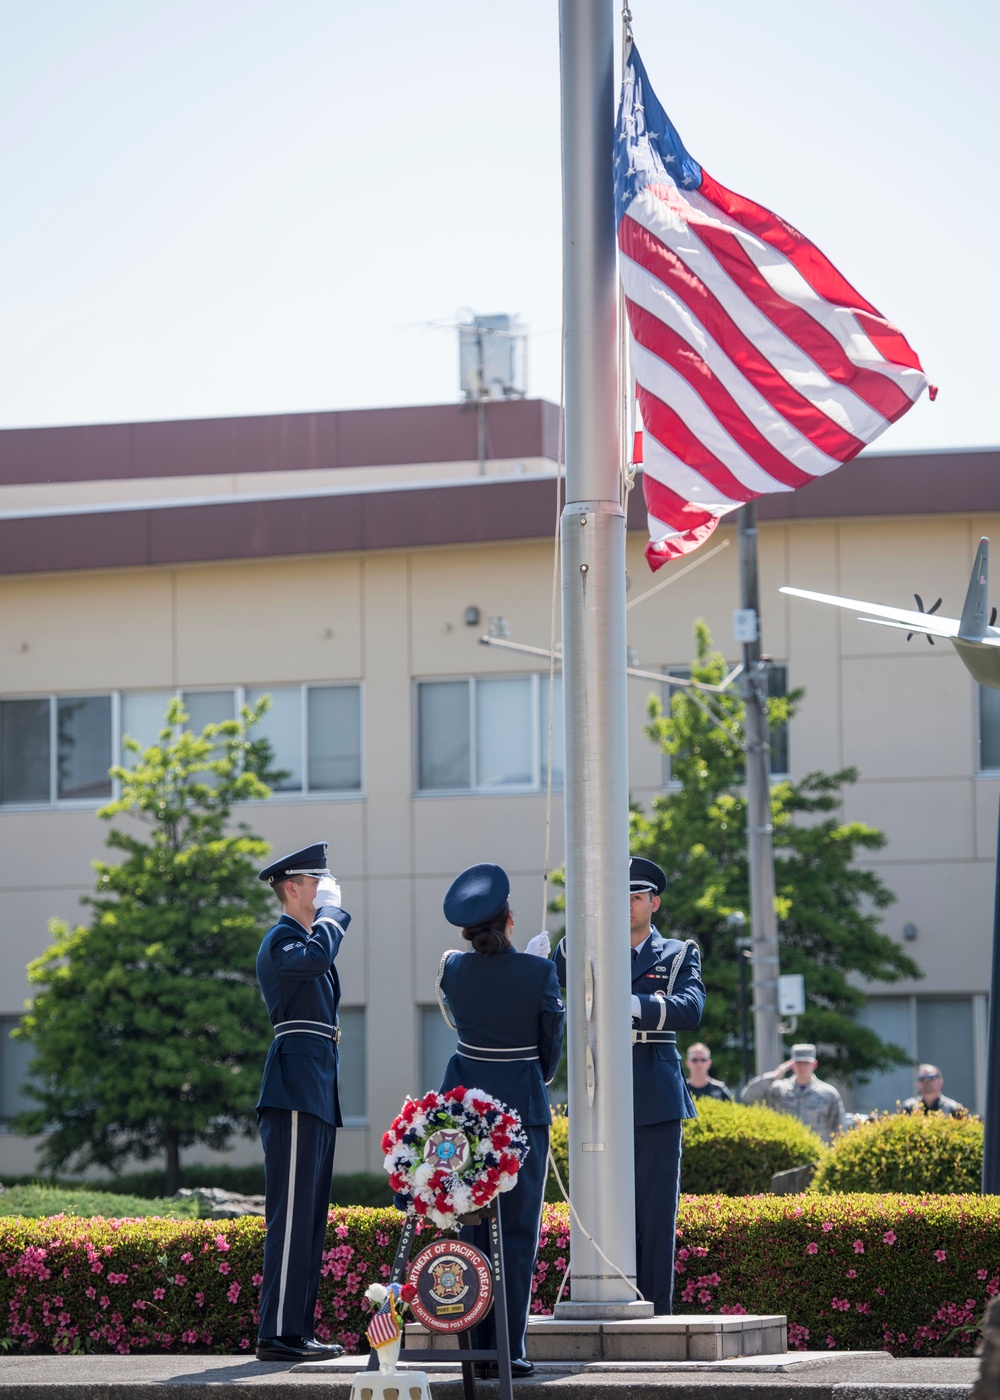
488	734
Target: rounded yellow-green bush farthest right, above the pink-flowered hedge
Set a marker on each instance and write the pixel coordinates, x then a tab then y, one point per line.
903	1153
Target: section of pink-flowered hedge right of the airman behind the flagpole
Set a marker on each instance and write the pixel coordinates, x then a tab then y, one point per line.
908	1275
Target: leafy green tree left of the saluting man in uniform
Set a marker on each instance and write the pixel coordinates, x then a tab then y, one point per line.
148	1027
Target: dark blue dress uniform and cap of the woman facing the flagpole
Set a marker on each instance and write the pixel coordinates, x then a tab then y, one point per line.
509	1017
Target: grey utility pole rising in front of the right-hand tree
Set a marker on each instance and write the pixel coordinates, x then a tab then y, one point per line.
761	852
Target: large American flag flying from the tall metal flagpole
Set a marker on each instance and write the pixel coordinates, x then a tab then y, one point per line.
757	366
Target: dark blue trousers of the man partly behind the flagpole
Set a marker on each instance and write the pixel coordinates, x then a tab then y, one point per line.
658	1192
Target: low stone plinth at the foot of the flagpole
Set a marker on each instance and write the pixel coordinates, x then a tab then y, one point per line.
690	1338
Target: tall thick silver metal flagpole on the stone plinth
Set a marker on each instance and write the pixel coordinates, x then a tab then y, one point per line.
595	691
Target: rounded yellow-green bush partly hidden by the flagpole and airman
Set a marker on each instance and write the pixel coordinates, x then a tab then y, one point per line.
729	1149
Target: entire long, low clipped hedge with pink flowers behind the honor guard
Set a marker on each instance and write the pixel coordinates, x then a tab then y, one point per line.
908	1275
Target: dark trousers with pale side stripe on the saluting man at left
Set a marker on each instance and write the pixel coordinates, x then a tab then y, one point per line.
299	1165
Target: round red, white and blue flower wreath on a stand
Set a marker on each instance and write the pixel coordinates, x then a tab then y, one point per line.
450	1154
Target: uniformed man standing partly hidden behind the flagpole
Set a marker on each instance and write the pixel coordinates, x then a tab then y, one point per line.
667	996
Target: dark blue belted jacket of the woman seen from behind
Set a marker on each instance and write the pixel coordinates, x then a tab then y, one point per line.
506	1002
